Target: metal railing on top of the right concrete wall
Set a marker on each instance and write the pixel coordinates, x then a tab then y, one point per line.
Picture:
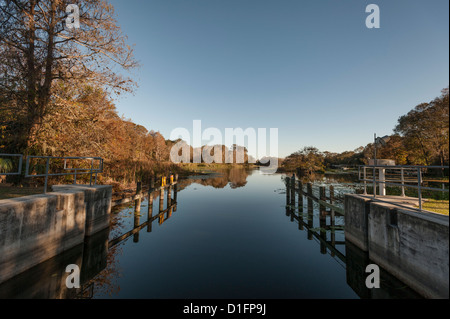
404	176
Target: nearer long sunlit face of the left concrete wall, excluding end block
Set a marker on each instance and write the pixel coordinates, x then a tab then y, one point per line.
36	228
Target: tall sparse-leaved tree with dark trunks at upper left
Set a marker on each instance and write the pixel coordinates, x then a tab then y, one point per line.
38	50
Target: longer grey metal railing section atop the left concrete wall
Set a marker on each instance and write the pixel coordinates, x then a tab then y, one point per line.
92	171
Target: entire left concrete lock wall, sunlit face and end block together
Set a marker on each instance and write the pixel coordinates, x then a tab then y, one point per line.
36	228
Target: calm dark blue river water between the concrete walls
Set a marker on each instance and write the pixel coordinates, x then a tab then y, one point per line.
230	236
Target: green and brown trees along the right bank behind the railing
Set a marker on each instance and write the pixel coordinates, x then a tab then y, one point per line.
420	137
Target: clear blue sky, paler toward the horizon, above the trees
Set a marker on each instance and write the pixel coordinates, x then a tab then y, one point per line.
310	68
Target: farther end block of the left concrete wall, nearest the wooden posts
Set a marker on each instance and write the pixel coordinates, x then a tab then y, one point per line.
98	205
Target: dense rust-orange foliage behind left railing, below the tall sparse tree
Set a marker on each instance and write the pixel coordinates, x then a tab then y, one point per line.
85	122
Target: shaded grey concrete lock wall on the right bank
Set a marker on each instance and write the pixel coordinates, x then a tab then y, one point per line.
410	245
